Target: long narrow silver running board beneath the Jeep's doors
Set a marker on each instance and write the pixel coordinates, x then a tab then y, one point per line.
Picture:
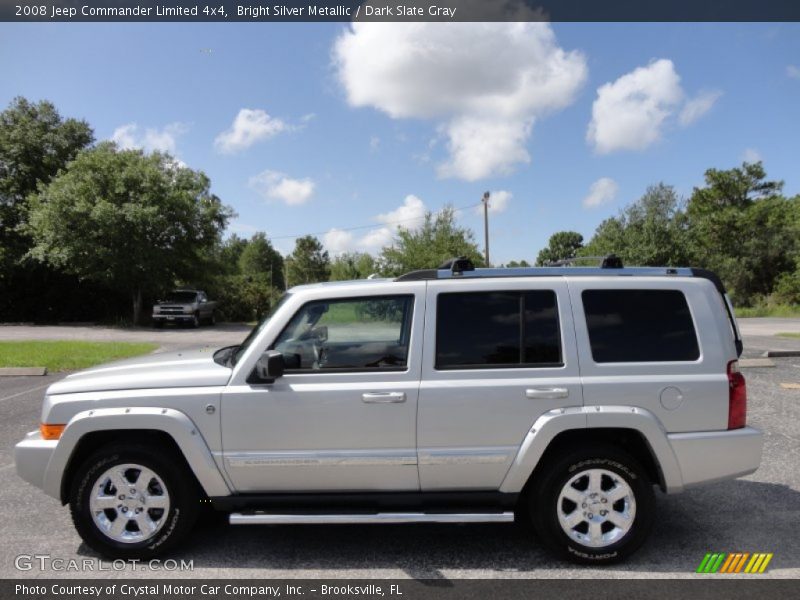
258	518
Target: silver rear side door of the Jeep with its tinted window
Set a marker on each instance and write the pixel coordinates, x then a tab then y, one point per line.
498	354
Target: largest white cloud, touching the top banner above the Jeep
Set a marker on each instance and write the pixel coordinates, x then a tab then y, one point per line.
484	83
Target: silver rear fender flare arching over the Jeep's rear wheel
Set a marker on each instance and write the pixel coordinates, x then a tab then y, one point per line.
554	422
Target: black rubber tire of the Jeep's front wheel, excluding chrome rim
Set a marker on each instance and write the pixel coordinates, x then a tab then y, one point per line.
181	486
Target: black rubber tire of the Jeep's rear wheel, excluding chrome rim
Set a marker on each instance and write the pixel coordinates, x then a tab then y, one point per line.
543	504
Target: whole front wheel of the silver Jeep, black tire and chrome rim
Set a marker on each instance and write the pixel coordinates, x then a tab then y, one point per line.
127	501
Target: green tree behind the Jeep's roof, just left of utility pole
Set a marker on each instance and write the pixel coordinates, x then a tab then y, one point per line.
437	240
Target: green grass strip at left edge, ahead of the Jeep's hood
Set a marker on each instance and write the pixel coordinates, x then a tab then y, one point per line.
67	355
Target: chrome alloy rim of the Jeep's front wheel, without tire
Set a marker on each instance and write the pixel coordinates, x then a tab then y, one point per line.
129	503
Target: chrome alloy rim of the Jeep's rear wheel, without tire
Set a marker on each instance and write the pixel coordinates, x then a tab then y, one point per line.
596	508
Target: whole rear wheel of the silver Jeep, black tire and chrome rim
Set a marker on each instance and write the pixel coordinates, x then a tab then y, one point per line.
593	506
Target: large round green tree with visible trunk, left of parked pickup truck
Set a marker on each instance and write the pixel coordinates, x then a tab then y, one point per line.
134	221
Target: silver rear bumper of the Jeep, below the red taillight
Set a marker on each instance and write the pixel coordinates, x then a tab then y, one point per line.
709	456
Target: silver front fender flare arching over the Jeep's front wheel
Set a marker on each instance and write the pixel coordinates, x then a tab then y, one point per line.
172	422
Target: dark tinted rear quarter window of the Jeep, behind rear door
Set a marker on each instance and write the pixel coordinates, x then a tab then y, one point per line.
639	326
